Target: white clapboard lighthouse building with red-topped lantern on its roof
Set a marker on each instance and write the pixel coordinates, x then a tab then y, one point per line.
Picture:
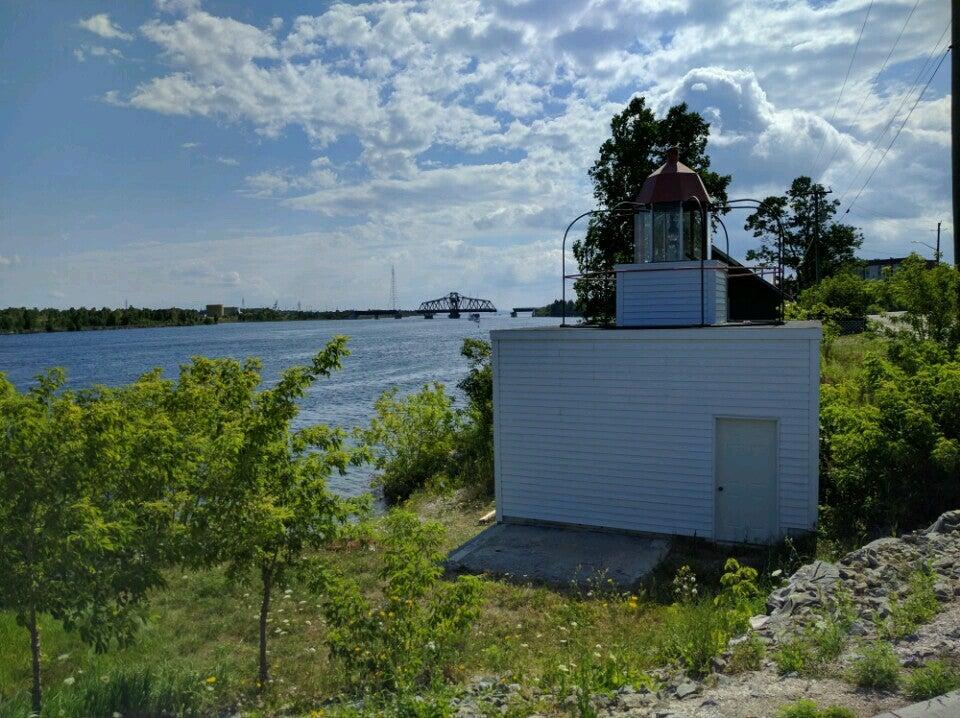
677	421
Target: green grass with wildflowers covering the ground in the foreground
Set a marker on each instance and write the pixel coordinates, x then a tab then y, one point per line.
198	648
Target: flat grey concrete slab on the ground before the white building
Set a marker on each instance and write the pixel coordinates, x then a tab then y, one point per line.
559	556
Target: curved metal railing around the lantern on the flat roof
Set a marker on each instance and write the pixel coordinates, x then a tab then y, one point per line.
774	272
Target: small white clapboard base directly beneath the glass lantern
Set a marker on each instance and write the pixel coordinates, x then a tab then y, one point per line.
669	294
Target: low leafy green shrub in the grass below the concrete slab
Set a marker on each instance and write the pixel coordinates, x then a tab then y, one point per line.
411	636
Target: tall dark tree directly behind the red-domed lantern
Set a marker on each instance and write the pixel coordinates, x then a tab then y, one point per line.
635	148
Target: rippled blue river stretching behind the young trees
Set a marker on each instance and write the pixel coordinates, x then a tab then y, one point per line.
385	353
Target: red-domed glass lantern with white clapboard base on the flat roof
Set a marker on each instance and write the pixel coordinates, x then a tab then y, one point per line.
673	280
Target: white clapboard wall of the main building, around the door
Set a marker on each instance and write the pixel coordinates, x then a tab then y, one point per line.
615	427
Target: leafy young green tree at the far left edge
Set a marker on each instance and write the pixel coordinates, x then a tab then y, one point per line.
84	516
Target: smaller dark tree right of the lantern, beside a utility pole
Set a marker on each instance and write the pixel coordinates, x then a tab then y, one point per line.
814	245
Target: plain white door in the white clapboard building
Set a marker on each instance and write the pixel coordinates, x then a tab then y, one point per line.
746	474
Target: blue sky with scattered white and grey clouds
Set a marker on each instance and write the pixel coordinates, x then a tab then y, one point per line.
178	152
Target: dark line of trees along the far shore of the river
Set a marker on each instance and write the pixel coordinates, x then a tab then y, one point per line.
33	320
